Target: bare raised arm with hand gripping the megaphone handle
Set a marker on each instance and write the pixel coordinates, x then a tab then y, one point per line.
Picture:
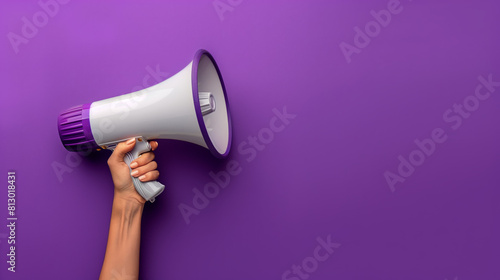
122	252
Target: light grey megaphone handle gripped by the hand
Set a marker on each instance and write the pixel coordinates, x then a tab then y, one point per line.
148	190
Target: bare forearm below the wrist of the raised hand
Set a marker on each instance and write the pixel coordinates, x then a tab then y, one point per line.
122	252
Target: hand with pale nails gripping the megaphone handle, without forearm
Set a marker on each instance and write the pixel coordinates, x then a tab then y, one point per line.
143	167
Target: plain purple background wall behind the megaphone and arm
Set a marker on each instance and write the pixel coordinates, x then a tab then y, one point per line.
323	175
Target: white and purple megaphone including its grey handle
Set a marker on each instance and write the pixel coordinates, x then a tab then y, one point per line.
190	106
